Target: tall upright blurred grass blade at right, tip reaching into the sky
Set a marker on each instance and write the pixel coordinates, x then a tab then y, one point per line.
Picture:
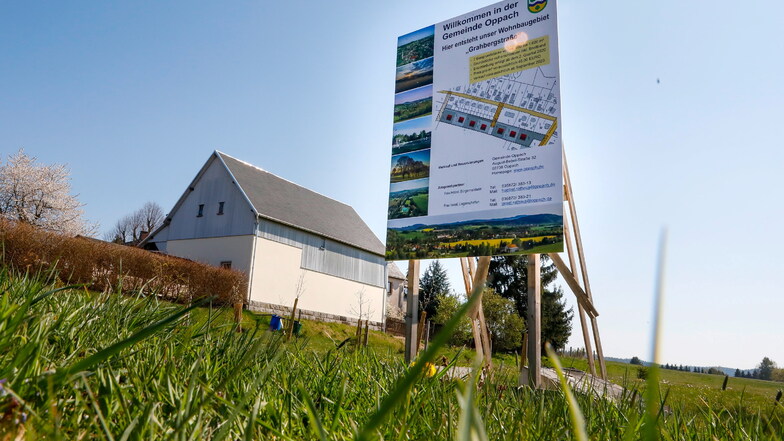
650	431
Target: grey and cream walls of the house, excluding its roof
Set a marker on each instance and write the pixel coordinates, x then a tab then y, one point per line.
214	222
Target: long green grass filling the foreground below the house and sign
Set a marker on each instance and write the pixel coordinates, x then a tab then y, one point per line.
77	365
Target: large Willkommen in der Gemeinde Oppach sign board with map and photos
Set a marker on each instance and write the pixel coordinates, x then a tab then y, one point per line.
476	164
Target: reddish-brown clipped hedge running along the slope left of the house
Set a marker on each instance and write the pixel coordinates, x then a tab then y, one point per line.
104	266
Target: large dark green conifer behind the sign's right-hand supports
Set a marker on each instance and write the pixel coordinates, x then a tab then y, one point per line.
508	277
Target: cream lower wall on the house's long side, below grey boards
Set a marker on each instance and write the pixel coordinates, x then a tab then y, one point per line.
277	268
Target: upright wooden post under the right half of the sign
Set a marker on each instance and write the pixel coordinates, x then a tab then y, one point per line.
534	321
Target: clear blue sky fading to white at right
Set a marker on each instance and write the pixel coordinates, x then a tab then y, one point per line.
672	116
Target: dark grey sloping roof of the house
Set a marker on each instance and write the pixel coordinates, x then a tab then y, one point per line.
279	200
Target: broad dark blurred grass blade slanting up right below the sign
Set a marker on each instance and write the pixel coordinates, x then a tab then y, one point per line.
398	394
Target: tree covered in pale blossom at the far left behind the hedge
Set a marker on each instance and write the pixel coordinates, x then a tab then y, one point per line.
40	195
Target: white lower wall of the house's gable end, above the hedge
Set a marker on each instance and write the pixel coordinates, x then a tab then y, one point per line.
214	250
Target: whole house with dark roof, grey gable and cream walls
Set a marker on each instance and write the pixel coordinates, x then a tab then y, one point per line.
236	215
